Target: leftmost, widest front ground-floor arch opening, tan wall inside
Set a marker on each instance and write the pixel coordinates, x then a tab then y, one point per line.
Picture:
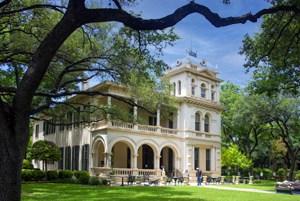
121	157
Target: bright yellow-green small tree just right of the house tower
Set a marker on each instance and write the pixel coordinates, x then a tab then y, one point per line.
232	157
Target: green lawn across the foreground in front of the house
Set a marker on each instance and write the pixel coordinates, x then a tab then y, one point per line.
68	192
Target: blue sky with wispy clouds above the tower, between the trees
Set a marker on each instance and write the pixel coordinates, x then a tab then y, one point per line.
219	46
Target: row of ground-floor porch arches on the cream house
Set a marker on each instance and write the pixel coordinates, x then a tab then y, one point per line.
122	155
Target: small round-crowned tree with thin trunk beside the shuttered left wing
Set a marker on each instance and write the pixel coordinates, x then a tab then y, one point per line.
45	151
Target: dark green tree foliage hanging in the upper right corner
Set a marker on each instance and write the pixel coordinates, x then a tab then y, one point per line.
273	53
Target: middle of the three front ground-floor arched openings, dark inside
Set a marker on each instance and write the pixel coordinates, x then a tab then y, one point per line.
146	157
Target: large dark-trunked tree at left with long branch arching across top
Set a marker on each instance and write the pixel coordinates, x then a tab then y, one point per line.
31	81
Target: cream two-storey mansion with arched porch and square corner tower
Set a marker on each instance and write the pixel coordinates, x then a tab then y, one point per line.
190	139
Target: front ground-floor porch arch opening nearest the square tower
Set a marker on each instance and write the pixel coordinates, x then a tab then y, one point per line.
167	160
